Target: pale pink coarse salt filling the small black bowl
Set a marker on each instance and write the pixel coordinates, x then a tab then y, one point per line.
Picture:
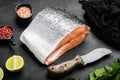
24	12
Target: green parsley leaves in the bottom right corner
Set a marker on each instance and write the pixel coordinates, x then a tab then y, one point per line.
107	73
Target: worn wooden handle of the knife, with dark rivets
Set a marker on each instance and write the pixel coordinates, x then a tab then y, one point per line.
65	67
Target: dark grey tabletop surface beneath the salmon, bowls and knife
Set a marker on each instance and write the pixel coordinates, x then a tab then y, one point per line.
33	69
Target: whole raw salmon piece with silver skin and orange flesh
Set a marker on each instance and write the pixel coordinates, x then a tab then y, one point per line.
52	33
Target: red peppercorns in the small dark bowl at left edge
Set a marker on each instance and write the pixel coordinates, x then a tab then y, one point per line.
5	32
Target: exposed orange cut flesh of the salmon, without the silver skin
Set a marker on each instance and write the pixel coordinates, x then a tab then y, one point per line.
69	42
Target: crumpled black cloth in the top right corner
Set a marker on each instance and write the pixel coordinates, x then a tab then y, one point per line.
103	16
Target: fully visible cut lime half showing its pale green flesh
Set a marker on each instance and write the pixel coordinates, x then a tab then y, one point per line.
14	63
